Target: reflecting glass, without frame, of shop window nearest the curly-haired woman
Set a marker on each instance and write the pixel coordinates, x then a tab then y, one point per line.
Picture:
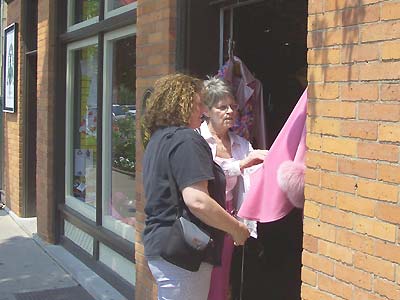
122	205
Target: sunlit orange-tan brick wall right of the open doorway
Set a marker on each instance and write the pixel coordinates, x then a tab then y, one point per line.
352	210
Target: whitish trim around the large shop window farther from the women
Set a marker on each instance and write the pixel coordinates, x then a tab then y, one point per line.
71	201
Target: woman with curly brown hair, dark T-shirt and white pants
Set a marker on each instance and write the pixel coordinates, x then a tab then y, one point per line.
174	109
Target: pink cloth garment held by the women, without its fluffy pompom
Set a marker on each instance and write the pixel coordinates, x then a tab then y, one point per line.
265	201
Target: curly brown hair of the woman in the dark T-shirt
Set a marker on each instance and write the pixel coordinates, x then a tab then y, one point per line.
171	103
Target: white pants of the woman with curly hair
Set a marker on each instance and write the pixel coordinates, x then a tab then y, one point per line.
175	283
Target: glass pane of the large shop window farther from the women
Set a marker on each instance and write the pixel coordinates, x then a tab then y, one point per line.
84	131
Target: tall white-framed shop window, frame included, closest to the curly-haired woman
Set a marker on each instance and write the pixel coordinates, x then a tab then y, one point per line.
119	128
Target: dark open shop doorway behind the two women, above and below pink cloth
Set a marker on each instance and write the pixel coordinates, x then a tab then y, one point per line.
270	38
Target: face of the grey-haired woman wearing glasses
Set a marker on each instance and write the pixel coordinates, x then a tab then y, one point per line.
223	114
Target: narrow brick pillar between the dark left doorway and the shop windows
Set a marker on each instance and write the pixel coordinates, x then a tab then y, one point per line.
45	117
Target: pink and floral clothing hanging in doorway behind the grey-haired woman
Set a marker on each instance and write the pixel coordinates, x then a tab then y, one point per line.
248	92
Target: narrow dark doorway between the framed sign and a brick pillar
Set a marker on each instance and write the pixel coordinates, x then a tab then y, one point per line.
30	166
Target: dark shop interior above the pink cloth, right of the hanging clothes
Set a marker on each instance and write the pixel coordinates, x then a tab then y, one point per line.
271	39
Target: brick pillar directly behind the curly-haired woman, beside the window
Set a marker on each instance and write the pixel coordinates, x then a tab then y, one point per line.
155	56
